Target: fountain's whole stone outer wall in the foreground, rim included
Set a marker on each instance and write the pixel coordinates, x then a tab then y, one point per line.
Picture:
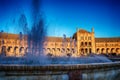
92	71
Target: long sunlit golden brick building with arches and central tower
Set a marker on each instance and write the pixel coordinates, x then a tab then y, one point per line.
81	43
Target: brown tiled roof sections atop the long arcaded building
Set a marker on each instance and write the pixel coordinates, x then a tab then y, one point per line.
58	39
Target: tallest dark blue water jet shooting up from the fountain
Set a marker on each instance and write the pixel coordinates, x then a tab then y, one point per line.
36	34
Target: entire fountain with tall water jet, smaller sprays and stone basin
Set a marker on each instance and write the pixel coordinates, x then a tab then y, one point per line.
34	65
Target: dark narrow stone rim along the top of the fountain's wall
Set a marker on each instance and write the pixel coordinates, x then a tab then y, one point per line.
59	67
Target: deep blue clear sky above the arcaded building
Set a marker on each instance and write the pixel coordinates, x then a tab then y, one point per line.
64	16
